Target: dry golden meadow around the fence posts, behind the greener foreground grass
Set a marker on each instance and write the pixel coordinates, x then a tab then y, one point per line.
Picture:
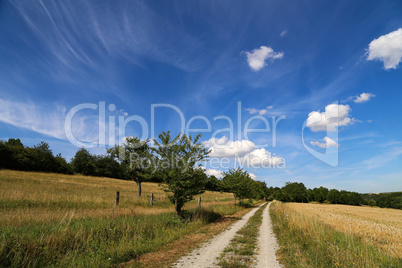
34	197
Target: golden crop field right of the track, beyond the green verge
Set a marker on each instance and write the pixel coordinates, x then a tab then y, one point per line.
377	226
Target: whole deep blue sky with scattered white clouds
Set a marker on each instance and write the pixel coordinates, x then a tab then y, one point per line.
332	64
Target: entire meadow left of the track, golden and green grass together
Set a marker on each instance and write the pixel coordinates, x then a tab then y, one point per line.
64	220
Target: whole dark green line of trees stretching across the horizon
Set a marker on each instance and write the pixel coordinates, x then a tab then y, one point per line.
174	162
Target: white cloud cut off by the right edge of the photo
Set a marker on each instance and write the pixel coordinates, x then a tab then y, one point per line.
387	48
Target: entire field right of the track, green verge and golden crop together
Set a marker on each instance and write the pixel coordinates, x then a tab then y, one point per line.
336	236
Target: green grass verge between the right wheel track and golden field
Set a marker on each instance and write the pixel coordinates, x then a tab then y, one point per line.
308	242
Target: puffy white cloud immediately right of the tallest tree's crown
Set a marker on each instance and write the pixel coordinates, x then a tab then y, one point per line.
222	147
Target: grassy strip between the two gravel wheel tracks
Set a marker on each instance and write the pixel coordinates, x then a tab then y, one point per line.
240	252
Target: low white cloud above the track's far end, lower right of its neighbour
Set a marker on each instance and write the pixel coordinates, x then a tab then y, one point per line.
260	158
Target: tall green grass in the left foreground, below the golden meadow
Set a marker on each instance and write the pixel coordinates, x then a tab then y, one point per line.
96	242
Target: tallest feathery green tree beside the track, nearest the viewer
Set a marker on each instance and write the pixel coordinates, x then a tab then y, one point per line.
178	158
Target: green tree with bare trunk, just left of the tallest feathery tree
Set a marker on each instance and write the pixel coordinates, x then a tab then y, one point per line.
136	158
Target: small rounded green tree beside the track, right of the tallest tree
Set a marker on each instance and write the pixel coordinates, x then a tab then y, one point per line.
238	182
